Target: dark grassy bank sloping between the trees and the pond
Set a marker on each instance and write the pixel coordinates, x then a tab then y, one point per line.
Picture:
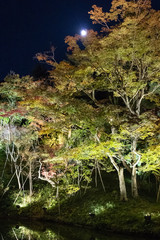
97	210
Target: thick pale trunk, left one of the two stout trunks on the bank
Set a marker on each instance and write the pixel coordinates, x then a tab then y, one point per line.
122	186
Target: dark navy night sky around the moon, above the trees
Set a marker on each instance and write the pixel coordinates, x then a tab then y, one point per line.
32	26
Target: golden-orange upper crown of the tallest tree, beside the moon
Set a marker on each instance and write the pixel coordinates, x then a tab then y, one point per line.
125	61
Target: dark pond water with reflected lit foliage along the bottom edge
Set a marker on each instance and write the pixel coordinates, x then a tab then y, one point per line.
46	231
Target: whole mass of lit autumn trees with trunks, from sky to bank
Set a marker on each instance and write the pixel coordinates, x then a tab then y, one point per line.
97	110
